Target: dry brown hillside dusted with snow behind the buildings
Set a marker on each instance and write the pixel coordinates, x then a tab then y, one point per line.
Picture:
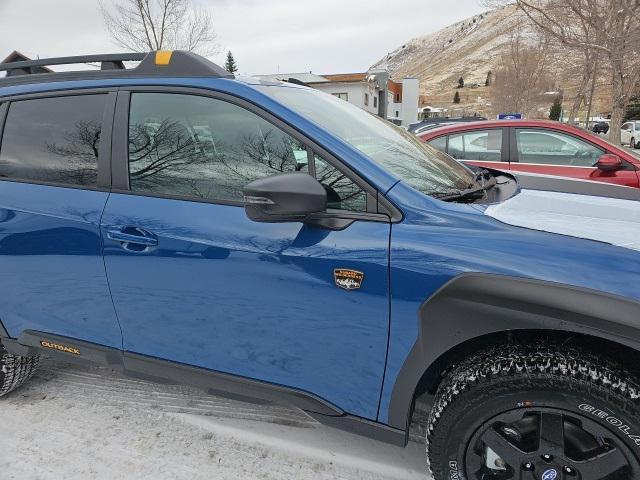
469	49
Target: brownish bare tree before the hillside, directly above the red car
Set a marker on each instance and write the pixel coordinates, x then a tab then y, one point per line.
521	77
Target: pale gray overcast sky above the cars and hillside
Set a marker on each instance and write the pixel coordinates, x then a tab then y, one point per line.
265	36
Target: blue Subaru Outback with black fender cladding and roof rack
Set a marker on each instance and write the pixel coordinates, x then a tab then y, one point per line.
266	240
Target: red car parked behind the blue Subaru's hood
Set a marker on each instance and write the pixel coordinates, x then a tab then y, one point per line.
537	146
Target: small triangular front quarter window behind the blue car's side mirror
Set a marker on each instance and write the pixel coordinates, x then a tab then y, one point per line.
342	192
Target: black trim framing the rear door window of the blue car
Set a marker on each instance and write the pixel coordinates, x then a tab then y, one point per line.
103	181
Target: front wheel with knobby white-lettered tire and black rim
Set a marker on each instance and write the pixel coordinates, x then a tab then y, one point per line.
535	413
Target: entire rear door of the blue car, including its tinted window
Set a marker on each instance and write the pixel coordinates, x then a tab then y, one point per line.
51	164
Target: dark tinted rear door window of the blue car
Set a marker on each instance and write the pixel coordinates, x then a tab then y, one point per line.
53	140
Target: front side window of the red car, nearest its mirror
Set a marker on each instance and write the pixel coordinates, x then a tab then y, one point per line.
554	148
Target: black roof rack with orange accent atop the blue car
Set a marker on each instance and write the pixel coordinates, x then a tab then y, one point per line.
153	64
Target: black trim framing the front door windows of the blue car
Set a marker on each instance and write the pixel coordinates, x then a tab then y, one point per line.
379	208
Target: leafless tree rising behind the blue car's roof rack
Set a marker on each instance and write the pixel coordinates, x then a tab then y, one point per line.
148	25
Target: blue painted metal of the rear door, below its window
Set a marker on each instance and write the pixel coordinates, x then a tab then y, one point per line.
53	277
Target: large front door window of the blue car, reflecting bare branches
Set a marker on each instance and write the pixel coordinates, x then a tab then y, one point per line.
199	147
